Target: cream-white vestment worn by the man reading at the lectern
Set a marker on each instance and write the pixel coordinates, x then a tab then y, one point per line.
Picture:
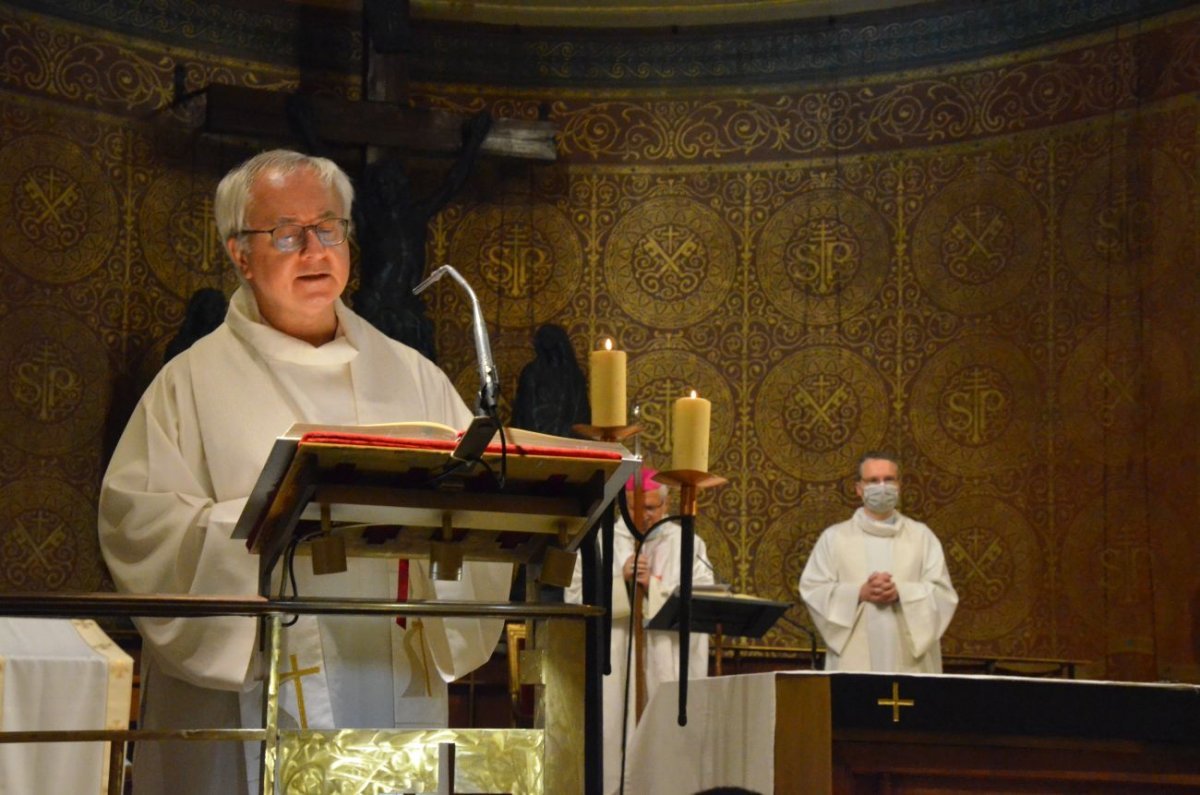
175	489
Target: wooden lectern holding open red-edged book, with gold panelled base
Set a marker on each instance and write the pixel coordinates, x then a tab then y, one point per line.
398	492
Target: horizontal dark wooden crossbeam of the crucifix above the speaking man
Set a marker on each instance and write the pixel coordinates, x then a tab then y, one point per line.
259	113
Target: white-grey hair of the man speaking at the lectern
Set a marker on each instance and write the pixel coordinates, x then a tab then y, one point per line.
233	193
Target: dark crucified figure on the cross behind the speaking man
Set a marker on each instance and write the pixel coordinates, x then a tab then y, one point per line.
392	226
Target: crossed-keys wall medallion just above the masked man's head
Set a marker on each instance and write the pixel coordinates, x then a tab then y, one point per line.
819	410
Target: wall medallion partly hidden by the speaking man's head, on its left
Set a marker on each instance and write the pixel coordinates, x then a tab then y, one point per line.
181	240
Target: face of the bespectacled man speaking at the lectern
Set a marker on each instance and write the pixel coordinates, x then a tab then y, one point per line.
295	290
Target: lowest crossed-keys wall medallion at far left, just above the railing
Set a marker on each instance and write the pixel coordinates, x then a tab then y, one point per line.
41	546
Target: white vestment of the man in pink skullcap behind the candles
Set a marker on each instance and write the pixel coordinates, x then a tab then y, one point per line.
663	551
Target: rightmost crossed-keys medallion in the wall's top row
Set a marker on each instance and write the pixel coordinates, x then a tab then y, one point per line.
977	244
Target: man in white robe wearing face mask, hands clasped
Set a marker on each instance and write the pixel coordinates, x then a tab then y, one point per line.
877	585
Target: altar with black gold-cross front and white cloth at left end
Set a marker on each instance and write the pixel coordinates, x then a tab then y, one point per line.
875	733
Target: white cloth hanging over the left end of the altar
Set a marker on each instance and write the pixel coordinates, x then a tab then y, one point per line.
729	742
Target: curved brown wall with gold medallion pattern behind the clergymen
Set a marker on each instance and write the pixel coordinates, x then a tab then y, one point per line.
989	268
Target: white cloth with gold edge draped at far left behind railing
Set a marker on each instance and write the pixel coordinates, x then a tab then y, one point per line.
59	676
